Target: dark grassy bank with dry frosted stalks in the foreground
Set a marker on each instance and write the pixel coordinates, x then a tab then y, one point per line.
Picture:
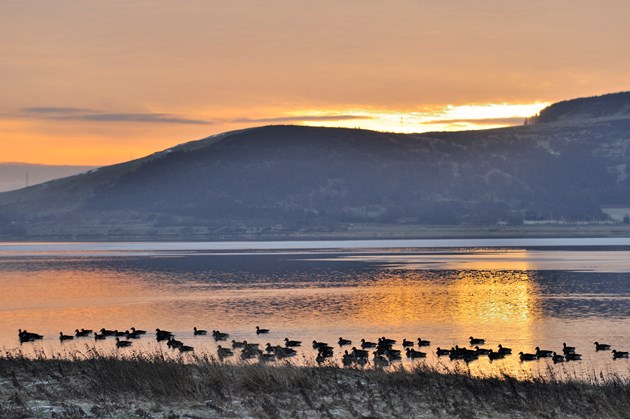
156	387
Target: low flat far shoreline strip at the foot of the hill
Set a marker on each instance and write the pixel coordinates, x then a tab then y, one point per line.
343	232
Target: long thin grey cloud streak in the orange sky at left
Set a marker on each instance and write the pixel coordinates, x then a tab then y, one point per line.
90	115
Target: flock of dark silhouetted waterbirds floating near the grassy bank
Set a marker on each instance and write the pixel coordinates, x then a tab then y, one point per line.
382	351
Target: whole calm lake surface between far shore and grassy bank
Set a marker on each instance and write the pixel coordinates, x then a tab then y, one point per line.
533	293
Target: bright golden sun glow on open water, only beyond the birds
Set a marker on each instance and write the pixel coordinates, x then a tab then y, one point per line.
466	298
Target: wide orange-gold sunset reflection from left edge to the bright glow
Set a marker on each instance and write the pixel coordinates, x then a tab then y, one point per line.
445	306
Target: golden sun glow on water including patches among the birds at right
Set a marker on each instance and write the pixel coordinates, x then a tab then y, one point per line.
448	307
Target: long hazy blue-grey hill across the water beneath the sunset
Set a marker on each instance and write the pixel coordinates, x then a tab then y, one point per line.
277	181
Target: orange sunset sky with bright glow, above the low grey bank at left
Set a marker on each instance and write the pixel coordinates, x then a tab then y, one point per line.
101	82
